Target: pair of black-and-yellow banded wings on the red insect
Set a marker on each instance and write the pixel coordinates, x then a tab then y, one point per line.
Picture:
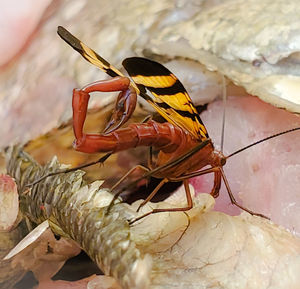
169	97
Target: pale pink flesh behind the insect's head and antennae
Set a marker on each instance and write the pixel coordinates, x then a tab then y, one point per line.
265	178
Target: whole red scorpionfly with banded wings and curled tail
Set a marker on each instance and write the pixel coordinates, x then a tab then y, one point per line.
183	142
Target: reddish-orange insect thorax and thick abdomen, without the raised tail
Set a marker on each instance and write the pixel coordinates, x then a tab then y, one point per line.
171	141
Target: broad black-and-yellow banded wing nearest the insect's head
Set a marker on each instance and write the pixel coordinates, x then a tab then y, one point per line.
170	98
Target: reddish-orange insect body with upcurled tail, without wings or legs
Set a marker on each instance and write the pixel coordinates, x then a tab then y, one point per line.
171	141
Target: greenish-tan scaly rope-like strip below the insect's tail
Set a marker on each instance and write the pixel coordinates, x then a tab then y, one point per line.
71	209
